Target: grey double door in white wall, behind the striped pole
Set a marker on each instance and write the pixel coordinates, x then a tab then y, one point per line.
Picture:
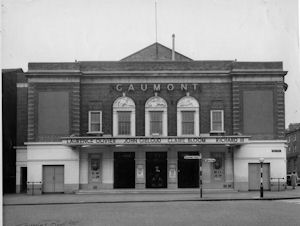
254	176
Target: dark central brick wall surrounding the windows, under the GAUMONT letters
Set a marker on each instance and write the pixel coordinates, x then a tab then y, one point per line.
102	96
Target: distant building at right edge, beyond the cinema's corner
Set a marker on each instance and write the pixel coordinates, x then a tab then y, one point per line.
293	148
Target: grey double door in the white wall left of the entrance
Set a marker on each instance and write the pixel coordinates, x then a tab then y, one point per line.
53	179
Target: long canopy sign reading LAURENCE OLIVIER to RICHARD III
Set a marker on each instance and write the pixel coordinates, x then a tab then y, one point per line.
154	140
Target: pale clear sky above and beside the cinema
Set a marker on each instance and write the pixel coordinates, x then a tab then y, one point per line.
102	30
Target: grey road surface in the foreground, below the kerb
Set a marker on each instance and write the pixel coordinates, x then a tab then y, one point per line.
231	213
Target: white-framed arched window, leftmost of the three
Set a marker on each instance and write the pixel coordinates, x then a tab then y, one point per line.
124	117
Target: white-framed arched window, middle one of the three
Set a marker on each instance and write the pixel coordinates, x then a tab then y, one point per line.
156	117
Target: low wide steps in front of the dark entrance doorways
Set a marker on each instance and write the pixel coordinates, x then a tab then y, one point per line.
155	191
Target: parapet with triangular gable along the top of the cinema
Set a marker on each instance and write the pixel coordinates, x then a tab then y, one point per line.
156	58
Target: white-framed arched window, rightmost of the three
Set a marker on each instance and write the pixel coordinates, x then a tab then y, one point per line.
187	116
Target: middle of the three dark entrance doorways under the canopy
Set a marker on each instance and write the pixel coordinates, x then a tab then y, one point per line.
156	170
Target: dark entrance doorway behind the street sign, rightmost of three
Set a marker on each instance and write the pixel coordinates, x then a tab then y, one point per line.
188	171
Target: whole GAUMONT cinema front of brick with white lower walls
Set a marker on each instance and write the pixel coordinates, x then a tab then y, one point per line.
129	123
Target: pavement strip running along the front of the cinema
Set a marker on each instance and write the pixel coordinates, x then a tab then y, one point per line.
122	196
